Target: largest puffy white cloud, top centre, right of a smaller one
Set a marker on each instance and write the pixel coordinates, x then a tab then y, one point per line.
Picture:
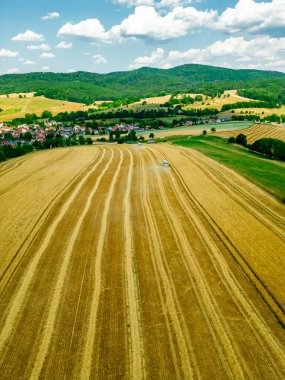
146	23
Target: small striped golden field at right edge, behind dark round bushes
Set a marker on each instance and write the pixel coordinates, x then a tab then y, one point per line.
258	131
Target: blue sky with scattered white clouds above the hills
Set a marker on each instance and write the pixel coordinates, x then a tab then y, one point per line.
118	35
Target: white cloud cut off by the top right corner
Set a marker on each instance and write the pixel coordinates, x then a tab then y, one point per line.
254	17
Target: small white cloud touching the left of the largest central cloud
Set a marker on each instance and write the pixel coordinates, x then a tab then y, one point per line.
90	29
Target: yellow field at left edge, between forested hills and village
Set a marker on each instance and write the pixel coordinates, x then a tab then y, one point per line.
17	107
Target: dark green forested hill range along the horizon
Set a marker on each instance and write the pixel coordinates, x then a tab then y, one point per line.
145	82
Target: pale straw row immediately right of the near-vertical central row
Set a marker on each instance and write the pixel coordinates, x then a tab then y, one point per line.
184	354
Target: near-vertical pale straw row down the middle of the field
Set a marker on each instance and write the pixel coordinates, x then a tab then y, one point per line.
136	350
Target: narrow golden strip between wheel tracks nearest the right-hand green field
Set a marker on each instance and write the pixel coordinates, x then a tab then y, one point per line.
256	208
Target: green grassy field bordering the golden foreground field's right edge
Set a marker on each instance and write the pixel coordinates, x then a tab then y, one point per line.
265	172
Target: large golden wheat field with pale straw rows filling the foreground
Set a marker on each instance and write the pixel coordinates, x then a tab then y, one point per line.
115	267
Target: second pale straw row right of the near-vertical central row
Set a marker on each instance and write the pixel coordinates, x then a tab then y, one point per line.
204	294
